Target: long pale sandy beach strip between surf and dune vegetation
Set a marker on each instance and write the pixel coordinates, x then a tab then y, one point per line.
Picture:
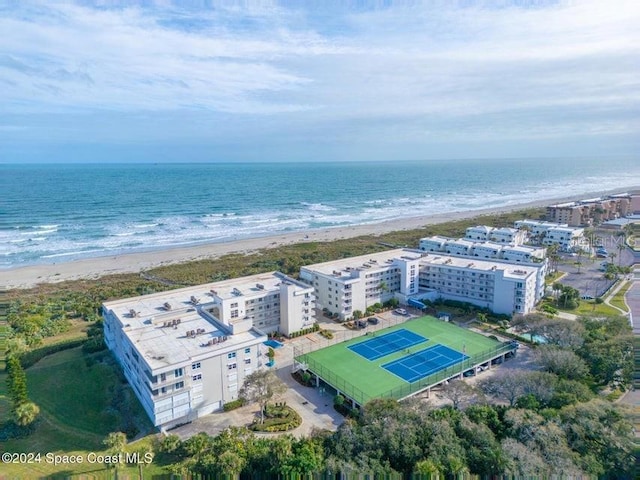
136	262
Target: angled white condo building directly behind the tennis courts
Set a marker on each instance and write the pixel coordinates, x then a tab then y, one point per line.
350	284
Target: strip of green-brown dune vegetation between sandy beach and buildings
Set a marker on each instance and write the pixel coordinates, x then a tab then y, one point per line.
286	258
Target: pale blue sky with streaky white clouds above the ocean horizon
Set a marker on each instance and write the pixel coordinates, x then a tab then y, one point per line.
318	80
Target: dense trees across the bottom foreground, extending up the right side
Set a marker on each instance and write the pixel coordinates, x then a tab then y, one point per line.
533	424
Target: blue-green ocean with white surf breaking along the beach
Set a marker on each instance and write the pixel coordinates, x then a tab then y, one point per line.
57	213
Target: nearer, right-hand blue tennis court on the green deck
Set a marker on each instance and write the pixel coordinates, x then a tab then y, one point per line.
424	362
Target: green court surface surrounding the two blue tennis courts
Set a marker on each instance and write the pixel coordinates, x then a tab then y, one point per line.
362	379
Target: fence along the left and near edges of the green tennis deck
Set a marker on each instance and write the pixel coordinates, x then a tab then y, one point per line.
303	361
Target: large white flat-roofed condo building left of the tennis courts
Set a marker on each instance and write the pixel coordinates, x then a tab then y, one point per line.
186	352
